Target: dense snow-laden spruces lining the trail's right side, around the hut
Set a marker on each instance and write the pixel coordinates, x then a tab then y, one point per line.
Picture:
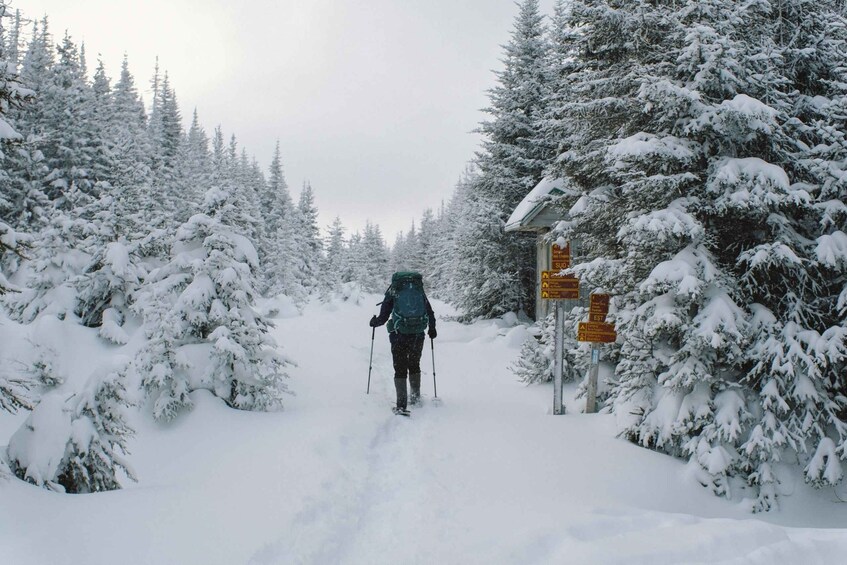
701	146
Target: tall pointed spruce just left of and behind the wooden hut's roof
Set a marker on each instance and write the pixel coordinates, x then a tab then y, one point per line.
499	271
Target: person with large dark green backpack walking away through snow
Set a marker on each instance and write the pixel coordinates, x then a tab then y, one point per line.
411	314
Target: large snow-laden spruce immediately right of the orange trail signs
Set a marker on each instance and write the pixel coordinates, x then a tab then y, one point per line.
639	161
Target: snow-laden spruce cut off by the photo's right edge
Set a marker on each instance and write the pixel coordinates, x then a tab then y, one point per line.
795	273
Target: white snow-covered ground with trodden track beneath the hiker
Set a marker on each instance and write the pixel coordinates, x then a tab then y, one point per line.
486	476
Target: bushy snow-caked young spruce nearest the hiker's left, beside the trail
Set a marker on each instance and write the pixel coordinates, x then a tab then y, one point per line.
206	294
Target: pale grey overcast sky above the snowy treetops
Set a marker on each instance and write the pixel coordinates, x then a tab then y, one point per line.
374	102
